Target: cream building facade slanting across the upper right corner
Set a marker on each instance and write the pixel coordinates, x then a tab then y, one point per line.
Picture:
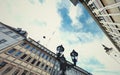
106	13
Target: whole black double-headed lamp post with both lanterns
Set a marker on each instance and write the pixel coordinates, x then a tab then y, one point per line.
62	59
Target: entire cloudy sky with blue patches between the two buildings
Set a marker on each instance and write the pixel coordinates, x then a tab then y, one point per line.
62	23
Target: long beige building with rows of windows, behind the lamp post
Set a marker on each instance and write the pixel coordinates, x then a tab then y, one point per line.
20	55
